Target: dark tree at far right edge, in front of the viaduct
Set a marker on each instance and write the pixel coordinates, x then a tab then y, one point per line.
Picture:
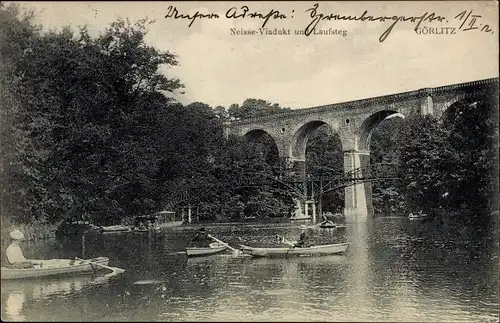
471	133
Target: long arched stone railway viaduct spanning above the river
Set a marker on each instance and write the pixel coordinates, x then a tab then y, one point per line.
354	122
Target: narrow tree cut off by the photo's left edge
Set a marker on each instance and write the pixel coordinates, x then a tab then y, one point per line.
20	180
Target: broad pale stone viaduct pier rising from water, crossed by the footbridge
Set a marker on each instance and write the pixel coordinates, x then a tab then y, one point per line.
358	204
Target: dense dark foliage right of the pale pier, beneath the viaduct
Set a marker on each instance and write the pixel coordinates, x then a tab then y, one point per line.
446	164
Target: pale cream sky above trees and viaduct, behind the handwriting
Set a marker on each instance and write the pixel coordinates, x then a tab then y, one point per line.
298	71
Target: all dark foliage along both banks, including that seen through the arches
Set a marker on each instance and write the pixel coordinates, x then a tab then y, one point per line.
88	127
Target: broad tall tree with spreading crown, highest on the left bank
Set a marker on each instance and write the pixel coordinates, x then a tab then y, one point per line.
92	110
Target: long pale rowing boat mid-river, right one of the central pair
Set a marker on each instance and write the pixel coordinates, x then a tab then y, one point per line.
286	251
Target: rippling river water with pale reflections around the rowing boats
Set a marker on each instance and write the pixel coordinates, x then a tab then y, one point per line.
394	270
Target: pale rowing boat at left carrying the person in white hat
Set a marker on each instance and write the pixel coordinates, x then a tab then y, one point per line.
58	267
